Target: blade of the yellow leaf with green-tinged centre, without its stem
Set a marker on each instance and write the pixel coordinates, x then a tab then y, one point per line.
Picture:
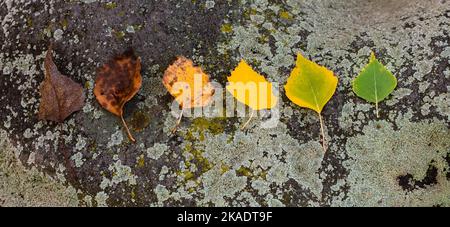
310	85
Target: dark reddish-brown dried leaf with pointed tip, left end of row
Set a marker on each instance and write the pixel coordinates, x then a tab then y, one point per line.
60	96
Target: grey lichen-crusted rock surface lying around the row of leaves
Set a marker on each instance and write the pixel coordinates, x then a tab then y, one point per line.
400	159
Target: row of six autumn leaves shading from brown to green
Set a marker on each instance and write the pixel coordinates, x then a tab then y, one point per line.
309	85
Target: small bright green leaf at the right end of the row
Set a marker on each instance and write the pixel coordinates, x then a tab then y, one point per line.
374	83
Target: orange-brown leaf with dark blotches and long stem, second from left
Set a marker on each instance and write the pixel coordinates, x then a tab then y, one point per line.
117	82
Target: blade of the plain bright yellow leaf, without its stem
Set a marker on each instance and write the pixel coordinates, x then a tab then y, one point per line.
250	88
